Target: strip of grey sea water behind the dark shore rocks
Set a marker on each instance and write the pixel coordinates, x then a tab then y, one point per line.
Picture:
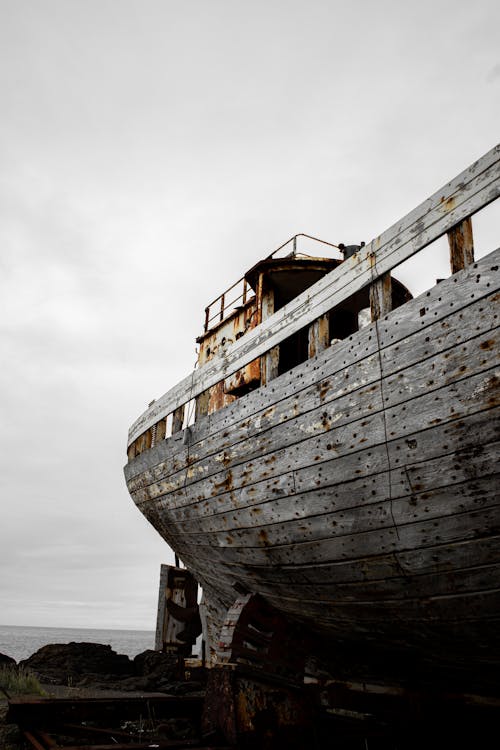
20	642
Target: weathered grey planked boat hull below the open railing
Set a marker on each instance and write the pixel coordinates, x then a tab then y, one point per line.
358	492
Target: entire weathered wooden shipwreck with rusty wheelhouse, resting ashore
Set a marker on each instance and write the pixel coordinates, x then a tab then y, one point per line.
329	471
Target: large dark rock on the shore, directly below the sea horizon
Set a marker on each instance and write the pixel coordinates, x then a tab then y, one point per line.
69	662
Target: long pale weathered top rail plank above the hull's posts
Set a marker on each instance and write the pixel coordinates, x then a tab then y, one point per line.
459	199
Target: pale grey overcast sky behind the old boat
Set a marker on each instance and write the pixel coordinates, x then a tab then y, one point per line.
151	151
